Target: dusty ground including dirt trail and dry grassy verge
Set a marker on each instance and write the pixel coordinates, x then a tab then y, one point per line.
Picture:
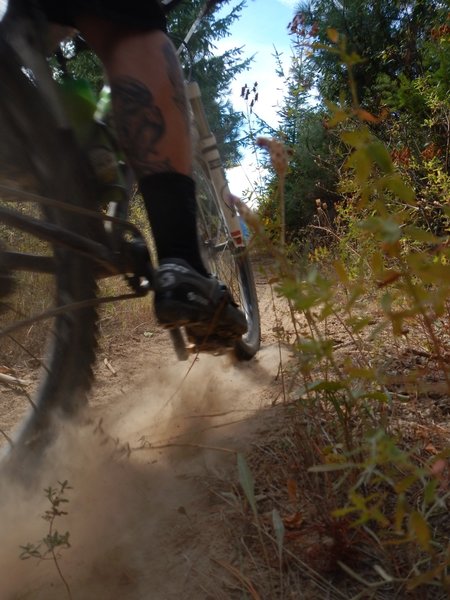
157	510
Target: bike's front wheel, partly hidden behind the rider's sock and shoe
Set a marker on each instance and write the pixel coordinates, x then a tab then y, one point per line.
230	264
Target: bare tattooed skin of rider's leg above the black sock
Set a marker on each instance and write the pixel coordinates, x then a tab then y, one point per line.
148	95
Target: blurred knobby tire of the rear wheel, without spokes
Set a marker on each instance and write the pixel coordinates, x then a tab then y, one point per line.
53	160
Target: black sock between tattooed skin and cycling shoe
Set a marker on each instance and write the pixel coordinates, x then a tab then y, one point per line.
172	209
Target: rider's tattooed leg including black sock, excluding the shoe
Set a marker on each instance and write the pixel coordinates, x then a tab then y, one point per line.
152	118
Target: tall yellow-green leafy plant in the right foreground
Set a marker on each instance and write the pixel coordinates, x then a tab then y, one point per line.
399	281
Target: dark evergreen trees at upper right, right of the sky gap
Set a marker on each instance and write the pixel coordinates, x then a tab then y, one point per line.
399	53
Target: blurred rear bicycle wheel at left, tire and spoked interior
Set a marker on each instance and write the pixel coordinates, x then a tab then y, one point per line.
37	156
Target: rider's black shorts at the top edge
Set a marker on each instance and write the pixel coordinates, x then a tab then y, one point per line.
142	14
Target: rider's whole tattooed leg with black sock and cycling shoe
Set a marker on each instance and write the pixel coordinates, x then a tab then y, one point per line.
152	118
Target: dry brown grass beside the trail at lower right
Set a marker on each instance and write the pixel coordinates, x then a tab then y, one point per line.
325	555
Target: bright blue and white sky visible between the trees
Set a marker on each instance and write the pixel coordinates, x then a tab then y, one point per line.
261	28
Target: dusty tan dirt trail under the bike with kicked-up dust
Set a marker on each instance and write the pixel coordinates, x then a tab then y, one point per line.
149	525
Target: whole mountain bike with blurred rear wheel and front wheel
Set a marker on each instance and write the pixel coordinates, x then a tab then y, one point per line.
58	240
